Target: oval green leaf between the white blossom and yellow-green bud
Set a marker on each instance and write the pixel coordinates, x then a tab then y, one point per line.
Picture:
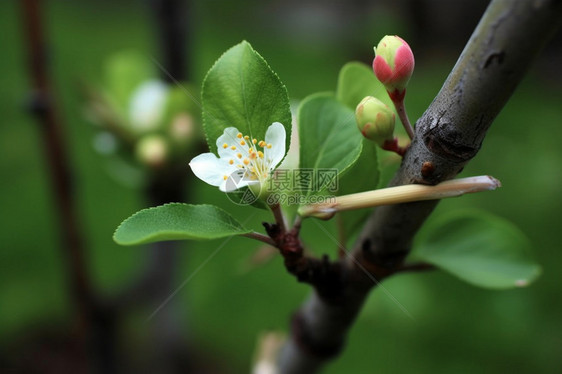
328	136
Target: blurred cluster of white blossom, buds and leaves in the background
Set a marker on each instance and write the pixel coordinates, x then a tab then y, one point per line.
142	121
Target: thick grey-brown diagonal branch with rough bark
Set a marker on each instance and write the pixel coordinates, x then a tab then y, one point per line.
448	135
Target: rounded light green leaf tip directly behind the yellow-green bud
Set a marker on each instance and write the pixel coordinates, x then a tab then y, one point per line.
357	80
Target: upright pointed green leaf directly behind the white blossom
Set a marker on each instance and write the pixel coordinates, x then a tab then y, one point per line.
242	91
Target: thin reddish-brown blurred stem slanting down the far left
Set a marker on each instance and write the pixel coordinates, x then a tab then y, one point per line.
44	107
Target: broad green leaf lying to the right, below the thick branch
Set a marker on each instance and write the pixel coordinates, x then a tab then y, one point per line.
480	249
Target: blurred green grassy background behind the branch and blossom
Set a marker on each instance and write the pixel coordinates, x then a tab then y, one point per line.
224	307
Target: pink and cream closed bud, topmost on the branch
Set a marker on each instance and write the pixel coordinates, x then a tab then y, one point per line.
393	65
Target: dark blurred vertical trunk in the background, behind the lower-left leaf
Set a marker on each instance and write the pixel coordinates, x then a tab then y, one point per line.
168	185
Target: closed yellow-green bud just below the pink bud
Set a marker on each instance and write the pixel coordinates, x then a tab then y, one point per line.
375	120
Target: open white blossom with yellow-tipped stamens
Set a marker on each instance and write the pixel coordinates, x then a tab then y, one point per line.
242	160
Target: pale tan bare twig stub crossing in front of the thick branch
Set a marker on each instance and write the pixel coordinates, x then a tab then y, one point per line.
400	194
